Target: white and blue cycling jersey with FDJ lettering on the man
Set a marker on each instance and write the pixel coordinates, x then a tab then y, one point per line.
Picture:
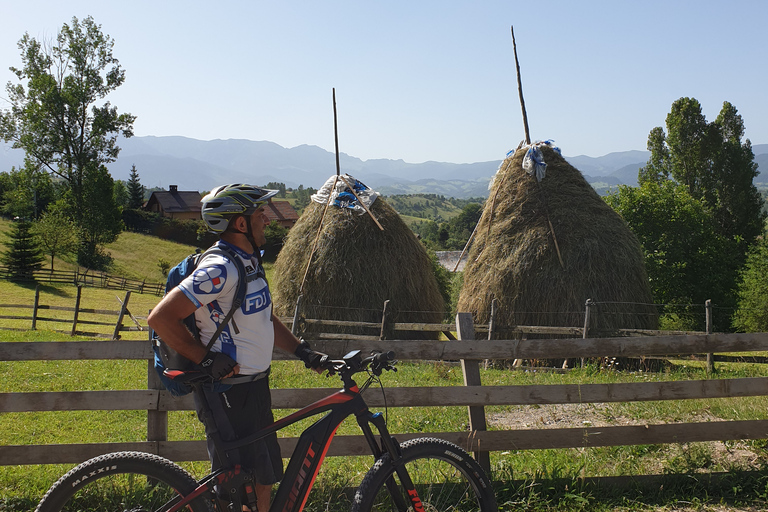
249	336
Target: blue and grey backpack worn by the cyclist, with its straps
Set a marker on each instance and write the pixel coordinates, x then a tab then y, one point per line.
167	358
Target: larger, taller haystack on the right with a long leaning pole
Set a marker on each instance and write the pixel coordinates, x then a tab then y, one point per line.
517	263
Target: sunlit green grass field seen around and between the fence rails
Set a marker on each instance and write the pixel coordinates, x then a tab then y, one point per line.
526	480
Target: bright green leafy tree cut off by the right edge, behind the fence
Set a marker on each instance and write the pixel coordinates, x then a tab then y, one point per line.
752	312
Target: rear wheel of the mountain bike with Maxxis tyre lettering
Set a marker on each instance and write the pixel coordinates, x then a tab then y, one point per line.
122	481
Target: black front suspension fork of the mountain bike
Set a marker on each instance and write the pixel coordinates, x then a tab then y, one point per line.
390	445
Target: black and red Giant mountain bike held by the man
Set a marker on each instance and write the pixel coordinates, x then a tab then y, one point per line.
422	474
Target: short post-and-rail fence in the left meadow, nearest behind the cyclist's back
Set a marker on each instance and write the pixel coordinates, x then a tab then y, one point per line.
117	325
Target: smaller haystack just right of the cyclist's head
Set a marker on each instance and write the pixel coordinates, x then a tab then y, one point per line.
356	267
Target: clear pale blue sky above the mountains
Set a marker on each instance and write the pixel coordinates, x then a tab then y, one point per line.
419	80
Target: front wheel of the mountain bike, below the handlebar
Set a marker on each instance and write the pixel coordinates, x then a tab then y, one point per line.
445	478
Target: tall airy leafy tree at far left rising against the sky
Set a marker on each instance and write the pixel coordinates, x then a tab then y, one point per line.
60	119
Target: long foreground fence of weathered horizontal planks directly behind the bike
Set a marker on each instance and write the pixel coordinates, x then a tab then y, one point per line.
473	395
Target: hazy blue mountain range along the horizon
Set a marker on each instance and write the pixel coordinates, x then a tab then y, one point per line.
200	165
